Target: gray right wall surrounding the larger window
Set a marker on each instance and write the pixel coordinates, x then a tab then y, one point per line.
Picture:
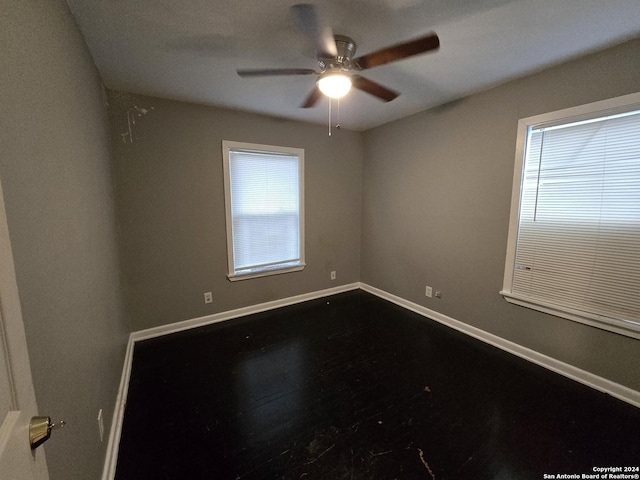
436	200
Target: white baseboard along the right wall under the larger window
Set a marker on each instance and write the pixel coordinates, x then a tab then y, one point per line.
594	381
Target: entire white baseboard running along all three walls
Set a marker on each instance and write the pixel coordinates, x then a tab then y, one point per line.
594	381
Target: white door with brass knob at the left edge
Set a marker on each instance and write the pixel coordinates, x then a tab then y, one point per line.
17	398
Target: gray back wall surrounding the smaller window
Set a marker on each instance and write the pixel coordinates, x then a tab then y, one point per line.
170	204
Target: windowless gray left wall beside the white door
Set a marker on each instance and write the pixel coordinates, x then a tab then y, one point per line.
55	174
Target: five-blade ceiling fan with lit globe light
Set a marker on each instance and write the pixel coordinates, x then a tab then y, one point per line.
336	65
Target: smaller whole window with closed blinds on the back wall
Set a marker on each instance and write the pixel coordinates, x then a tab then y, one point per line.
264	208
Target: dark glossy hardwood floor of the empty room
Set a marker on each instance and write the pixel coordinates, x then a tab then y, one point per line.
354	387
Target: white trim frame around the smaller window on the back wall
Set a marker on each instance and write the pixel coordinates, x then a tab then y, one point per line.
227	146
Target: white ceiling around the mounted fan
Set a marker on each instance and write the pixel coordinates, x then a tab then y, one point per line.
190	49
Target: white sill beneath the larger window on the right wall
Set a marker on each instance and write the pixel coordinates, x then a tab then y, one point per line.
627	328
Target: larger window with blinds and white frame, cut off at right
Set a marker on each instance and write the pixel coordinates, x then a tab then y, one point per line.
574	237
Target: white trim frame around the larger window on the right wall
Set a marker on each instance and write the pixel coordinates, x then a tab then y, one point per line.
600	108
